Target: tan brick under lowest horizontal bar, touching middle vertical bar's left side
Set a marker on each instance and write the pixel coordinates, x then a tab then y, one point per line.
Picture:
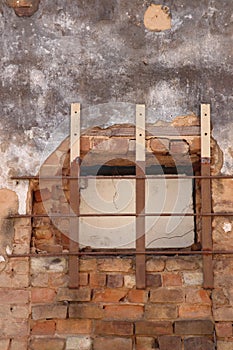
115	265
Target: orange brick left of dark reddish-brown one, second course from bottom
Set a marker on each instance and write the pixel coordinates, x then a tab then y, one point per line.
70	326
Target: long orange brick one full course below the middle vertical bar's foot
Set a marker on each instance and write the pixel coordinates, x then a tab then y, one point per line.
123	312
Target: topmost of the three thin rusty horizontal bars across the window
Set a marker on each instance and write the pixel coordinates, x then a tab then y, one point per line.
131	177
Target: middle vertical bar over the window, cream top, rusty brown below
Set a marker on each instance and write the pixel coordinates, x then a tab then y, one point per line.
140	197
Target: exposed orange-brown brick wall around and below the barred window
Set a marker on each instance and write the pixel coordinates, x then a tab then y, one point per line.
40	312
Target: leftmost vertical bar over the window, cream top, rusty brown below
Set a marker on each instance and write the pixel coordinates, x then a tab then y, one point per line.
74	194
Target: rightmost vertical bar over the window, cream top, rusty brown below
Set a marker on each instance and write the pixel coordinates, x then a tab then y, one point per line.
206	202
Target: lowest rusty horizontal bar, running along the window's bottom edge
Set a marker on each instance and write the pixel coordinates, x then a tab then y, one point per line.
125	253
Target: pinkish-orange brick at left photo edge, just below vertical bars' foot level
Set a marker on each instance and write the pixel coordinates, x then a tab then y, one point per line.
16	296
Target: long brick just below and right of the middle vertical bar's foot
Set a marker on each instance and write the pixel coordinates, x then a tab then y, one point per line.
164	295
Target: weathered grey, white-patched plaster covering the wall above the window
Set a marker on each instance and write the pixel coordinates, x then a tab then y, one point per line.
99	52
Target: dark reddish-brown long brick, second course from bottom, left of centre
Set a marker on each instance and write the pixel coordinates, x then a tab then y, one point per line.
113	328
